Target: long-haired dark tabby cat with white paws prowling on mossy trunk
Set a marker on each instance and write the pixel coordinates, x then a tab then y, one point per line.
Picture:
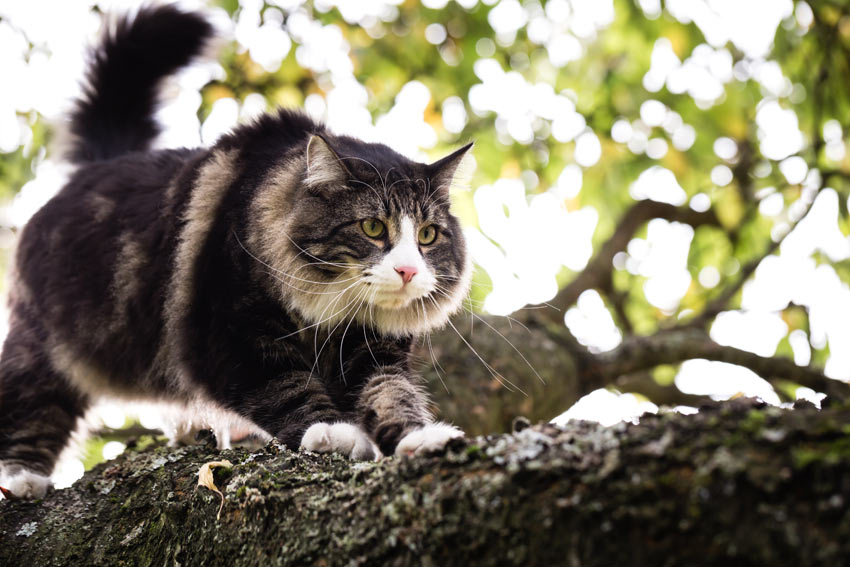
279	276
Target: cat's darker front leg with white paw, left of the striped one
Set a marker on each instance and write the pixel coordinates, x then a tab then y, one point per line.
297	409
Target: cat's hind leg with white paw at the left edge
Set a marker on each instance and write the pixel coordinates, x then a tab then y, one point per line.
39	411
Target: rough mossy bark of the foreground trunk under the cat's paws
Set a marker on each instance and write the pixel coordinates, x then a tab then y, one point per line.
736	484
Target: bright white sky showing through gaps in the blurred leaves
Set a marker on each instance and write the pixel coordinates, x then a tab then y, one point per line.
521	264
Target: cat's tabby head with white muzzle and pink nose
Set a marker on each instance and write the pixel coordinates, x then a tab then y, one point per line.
364	236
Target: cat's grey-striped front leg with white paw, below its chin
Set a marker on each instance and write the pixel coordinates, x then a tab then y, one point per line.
395	412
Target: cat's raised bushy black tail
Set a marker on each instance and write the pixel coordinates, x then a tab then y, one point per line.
115	113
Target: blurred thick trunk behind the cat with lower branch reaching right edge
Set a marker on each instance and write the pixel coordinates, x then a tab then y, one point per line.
535	367
